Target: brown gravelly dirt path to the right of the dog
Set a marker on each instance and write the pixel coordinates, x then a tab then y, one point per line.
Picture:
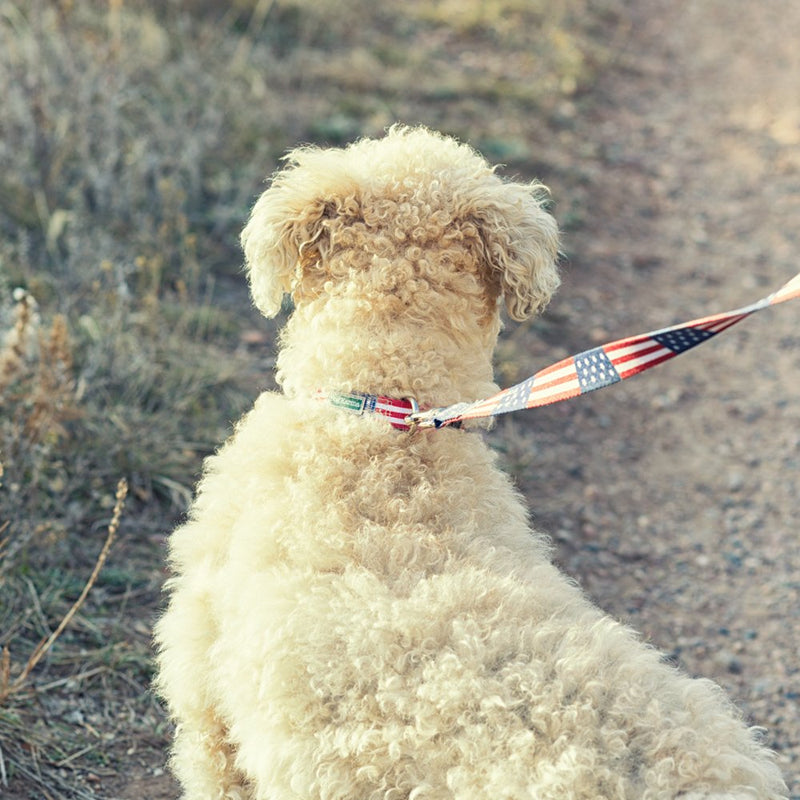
673	497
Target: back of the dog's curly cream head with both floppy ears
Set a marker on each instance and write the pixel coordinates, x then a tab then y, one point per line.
412	192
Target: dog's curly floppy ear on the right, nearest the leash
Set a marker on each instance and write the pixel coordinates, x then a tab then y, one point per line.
520	244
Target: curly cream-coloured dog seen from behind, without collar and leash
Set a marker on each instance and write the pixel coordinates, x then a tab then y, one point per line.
358	613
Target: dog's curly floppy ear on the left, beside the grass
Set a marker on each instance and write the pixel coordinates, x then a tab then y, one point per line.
285	236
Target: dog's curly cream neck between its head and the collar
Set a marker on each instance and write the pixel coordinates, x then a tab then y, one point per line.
347	346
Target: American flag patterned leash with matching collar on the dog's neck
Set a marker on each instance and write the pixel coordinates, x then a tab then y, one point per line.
573	376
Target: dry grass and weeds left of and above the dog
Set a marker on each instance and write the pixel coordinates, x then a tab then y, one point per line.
134	137
